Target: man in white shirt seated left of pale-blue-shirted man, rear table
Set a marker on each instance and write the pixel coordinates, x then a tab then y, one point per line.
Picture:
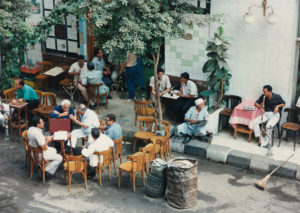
79	69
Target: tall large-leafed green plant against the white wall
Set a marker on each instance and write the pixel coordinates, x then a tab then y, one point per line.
217	66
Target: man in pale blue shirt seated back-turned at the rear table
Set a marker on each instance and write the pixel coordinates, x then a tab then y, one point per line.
95	77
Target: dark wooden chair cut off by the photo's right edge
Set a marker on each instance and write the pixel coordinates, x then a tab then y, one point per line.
292	124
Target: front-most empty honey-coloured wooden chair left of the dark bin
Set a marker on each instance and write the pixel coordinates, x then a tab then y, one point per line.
136	164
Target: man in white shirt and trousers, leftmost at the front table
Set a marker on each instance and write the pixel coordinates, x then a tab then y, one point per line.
37	139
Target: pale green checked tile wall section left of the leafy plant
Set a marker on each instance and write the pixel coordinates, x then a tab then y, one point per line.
183	55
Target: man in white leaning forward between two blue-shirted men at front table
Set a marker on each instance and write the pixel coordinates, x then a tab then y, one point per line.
88	120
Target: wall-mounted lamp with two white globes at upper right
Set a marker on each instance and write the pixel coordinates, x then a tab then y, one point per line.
272	18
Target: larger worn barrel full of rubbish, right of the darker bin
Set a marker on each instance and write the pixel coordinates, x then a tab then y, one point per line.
182	185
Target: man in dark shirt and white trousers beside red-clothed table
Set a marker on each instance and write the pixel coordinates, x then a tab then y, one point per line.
270	104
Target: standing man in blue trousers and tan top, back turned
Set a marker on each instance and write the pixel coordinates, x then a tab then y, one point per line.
130	74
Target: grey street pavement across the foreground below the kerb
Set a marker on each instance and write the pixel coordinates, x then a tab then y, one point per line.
221	188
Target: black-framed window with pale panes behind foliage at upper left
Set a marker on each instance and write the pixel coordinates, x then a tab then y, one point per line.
64	38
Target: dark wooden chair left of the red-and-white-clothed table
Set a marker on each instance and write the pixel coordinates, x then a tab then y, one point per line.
231	102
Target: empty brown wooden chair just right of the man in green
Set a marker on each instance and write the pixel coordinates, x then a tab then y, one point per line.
48	104
